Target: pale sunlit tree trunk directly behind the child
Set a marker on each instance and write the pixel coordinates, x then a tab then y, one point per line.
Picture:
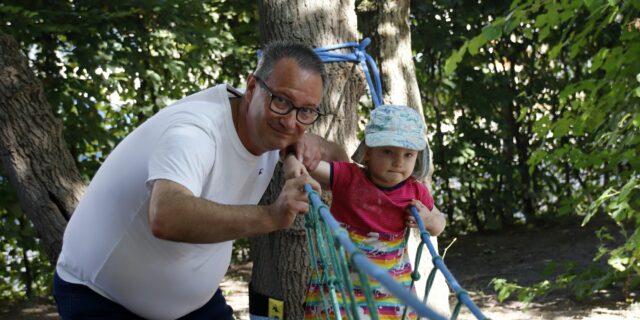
387	23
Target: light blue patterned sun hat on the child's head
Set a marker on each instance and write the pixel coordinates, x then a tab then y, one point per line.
395	126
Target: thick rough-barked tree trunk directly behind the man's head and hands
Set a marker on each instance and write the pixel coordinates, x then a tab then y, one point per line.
280	260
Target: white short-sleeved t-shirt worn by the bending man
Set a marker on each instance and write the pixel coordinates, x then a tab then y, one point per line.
108	245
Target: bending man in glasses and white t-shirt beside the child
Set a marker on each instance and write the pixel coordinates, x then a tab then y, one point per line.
152	237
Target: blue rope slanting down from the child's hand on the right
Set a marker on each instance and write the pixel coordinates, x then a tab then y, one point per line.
437	261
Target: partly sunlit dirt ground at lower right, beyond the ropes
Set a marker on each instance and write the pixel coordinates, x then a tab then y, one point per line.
522	257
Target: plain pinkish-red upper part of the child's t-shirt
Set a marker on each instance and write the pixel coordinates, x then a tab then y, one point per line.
361	204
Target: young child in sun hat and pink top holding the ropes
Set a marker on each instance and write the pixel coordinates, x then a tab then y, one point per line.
372	203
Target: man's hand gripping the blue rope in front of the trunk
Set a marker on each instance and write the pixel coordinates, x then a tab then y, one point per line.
292	201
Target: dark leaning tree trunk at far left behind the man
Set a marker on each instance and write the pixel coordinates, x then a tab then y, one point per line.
34	156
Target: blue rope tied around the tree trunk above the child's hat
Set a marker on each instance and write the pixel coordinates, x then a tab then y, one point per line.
360	55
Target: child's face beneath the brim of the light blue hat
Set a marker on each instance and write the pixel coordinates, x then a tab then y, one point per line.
389	166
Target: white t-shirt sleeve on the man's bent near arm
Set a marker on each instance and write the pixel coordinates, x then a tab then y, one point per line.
184	154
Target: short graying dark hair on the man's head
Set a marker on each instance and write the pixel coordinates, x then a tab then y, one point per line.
306	58
